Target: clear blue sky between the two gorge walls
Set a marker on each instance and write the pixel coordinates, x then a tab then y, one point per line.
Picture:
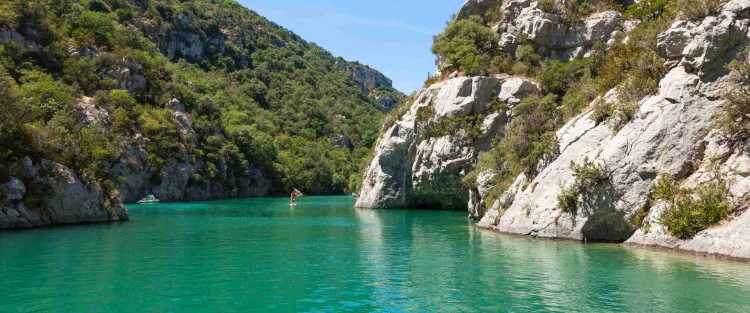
393	36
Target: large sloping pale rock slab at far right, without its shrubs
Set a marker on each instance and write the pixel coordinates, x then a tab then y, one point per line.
673	133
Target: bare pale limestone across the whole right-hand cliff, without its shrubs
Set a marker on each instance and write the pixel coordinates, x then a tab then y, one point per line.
672	133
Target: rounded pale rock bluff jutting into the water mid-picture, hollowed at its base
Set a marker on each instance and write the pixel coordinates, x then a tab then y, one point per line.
413	170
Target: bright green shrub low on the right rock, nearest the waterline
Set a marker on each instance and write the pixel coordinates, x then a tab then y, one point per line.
692	210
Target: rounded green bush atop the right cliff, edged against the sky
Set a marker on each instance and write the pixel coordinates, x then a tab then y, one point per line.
466	45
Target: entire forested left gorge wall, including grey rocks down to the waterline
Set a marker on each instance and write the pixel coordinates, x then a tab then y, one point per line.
105	102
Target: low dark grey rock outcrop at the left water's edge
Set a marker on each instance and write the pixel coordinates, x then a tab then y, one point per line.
47	193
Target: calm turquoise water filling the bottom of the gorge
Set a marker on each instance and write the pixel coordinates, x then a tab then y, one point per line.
259	255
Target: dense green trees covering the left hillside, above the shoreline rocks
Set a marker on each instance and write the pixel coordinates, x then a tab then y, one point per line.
259	96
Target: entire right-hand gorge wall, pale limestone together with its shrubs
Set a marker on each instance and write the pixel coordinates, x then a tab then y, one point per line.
602	174
